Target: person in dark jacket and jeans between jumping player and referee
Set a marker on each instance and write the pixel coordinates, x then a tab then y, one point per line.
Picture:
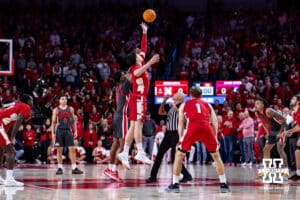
149	131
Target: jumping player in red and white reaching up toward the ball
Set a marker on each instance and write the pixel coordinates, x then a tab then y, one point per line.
138	99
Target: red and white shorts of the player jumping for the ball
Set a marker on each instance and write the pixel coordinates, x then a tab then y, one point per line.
137	108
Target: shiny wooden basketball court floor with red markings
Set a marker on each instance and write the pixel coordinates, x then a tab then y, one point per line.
42	183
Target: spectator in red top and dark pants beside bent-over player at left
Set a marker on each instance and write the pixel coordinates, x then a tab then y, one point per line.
29	138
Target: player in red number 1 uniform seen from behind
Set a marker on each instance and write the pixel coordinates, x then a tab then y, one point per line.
202	125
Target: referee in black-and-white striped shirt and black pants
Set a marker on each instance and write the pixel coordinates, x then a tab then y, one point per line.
171	137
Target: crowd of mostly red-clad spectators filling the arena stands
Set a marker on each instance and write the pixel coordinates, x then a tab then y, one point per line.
77	51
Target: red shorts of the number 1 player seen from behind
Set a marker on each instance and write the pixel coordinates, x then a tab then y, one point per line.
198	131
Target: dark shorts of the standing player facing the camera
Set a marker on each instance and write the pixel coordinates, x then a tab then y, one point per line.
64	138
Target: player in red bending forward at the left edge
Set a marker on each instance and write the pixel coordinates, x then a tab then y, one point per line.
12	117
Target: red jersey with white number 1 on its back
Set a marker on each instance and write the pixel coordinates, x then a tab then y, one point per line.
197	109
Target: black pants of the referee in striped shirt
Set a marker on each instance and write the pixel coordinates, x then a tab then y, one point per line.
170	140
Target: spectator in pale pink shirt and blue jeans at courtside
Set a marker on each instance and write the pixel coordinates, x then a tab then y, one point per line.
247	127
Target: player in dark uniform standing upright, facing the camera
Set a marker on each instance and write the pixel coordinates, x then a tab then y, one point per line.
63	118
